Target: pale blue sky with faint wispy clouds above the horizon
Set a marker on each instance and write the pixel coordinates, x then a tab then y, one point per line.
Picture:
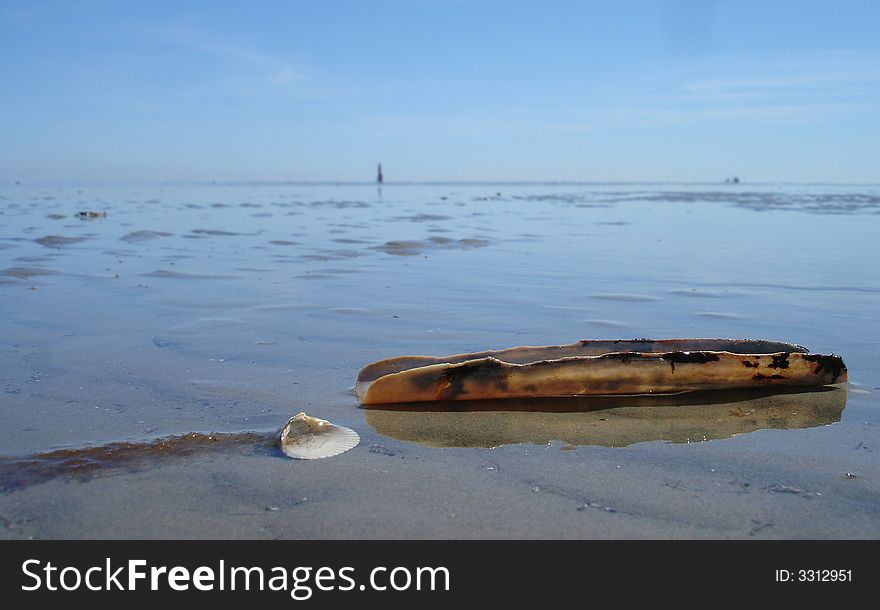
671	90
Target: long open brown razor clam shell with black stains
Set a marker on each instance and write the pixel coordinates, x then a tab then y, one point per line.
588	368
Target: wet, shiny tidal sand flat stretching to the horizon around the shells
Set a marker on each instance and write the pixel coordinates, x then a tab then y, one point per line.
228	308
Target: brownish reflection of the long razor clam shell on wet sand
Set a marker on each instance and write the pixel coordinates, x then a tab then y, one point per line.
611	421
